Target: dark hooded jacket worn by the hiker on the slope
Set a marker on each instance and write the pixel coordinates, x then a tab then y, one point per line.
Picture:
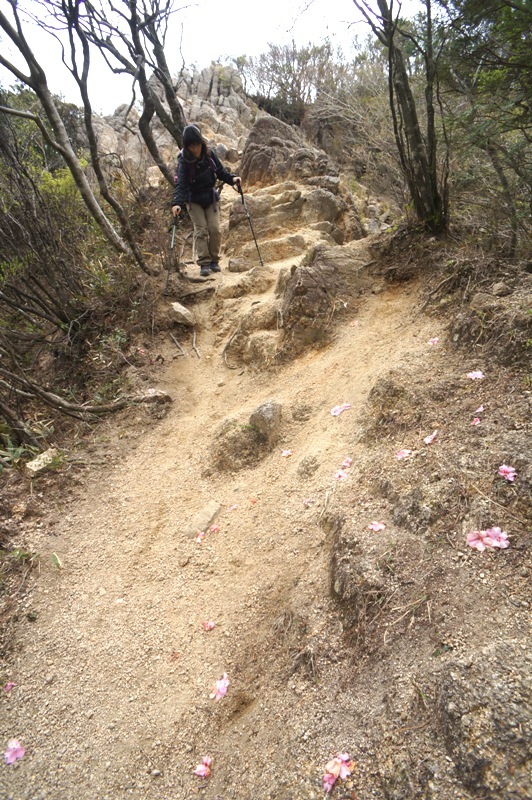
195	180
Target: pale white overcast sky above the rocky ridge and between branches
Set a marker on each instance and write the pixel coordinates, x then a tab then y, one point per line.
209	29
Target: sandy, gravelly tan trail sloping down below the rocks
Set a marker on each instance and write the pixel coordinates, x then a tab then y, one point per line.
113	678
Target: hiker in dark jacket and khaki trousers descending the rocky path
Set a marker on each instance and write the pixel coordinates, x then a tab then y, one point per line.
198	169
